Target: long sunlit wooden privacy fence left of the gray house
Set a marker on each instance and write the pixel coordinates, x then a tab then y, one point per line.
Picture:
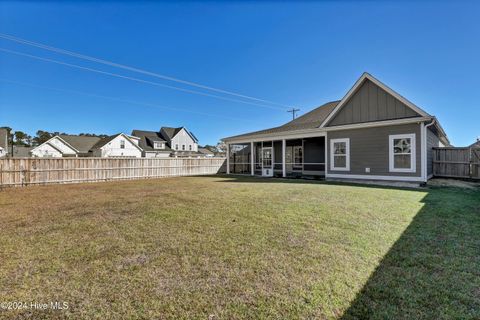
33	171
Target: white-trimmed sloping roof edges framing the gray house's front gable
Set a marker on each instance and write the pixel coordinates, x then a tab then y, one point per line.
366	76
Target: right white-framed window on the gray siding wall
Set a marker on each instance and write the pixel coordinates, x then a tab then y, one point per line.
402	153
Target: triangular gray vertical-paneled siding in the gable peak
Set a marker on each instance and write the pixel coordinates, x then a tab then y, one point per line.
371	103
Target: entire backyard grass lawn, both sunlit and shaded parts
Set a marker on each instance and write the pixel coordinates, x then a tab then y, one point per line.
240	248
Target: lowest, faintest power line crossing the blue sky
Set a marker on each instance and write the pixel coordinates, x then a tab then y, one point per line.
120	100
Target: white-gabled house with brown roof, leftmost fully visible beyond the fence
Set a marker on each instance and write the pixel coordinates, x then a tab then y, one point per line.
65	146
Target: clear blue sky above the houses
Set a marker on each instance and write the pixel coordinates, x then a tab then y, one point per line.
296	54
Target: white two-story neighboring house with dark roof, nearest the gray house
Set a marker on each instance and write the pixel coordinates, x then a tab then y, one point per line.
168	142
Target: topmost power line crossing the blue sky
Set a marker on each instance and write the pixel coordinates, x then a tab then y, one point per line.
125	67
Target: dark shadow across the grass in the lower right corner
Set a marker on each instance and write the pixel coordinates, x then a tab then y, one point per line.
433	269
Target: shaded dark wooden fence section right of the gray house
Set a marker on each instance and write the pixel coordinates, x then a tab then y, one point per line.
456	162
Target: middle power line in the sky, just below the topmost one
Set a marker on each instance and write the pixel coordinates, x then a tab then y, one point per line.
136	79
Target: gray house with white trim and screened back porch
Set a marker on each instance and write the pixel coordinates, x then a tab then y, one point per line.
372	133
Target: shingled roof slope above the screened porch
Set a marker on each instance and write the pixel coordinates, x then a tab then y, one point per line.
309	120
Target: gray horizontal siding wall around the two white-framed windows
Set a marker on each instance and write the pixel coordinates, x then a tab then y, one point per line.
369	148
